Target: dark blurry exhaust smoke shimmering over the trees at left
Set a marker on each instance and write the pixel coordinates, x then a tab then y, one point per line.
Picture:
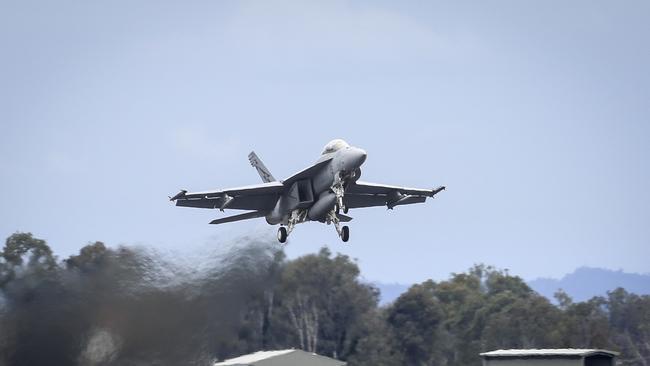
130	306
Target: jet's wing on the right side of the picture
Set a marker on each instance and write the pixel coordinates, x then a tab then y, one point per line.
364	194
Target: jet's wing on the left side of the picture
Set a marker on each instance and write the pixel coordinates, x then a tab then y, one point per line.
259	197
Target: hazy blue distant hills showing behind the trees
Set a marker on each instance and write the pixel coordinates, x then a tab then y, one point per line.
583	284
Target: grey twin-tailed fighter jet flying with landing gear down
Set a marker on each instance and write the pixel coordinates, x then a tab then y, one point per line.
317	193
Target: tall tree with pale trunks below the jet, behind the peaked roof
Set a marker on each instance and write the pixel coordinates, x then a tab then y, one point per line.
325	302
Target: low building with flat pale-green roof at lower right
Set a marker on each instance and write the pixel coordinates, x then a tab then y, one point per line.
549	357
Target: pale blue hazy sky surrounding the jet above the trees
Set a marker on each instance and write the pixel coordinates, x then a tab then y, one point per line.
535	115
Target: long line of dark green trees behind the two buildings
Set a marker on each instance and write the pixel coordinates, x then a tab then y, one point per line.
131	306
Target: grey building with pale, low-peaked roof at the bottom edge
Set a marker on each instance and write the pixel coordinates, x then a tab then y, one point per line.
288	357
